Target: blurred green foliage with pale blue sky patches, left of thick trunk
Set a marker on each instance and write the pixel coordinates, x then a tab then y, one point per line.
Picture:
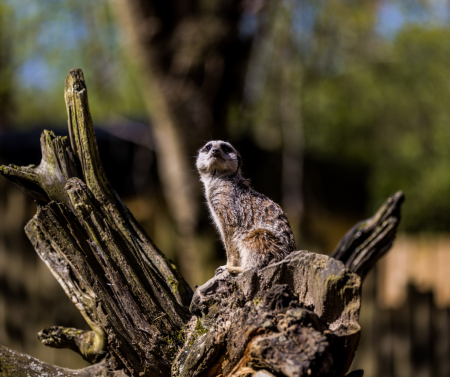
48	38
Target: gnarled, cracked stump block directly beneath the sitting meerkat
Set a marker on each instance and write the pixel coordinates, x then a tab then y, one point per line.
298	317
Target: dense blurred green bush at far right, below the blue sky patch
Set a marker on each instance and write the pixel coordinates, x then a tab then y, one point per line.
393	115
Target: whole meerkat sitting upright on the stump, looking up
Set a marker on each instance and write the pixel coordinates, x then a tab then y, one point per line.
254	230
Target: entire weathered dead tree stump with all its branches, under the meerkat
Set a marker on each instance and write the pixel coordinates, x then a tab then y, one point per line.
298	317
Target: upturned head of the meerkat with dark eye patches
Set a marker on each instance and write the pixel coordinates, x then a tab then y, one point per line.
217	158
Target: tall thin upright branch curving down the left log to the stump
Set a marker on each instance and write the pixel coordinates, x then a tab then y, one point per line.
85	148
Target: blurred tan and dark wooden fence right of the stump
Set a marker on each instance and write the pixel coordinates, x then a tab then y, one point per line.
405	315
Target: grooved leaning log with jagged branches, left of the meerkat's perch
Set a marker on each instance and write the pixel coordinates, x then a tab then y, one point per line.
129	293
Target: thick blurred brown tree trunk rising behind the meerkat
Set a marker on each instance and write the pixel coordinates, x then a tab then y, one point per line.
190	61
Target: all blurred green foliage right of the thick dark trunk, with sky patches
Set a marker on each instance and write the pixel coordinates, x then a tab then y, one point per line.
380	101
